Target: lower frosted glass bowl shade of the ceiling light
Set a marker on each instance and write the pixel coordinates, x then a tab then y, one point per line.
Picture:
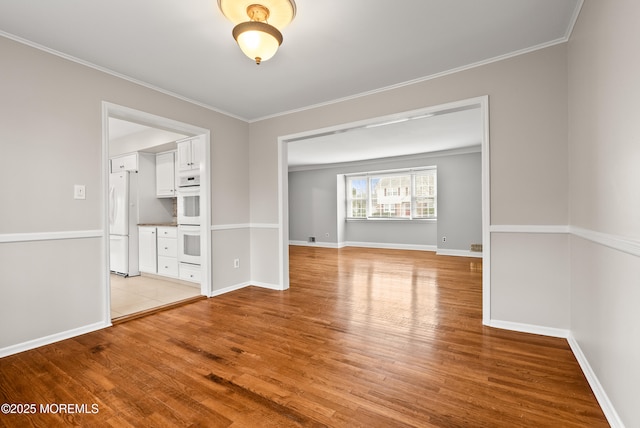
258	40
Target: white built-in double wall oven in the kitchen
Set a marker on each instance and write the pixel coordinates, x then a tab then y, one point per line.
189	219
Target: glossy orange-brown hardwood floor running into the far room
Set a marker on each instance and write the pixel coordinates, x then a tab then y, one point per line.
363	338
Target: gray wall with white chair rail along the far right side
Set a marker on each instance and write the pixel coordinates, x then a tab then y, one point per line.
605	198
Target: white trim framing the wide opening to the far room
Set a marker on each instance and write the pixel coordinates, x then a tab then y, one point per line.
480	103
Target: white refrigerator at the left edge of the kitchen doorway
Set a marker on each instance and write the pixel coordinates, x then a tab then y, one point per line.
123	219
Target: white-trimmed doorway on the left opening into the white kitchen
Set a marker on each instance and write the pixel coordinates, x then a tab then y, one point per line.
150	277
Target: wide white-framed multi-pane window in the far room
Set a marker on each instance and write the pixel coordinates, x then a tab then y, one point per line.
407	194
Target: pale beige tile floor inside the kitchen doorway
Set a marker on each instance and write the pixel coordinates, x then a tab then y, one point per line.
139	293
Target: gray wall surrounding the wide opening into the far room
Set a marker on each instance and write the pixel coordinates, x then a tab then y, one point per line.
528	134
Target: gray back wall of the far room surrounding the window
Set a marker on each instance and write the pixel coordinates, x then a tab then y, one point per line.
314	203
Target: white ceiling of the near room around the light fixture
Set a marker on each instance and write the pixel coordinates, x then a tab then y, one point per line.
334	49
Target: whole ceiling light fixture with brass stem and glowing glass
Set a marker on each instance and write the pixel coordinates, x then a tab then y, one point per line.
260	37
